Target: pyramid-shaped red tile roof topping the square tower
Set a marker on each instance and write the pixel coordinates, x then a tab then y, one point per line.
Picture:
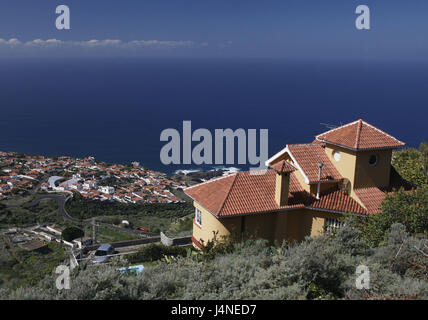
359	135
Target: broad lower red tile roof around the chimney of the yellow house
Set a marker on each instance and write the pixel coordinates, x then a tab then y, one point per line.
244	193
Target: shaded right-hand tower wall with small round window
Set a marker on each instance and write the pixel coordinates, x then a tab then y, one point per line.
373	176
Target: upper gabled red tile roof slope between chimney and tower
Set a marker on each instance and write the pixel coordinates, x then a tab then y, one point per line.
307	157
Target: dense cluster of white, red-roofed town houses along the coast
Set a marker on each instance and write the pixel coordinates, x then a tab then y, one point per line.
90	178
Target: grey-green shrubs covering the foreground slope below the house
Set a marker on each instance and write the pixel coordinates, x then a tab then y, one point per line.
317	268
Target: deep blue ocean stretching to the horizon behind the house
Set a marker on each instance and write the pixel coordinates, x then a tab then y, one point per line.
115	108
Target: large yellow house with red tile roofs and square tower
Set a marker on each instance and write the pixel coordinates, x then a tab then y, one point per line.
306	189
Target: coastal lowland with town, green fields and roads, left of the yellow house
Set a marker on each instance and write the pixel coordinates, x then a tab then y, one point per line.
62	209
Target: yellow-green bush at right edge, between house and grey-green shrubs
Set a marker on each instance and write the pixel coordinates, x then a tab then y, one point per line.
407	208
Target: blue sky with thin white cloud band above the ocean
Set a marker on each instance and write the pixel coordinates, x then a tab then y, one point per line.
304	29
